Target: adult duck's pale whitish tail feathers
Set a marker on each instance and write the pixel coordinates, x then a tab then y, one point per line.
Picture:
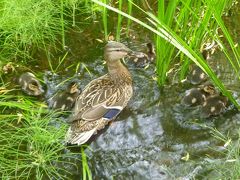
78	138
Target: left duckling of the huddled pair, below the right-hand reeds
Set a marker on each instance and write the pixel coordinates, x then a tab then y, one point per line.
197	96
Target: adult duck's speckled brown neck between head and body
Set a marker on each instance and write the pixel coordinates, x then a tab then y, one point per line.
118	72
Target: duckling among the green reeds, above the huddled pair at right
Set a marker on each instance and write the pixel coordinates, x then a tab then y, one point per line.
196	75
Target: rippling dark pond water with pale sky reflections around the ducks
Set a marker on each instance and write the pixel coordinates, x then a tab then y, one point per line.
155	132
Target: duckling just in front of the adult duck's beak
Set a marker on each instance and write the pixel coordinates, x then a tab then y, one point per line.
141	59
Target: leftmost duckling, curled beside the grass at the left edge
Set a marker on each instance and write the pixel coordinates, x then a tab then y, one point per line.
30	85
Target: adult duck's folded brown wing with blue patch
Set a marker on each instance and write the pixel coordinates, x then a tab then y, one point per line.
101	99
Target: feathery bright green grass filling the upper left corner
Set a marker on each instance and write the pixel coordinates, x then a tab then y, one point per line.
29	25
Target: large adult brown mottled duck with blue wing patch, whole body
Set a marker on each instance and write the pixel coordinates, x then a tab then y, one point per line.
103	99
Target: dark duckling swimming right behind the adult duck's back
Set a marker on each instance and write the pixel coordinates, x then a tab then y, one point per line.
65	100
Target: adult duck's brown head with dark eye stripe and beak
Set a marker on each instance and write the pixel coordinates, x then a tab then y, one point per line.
114	51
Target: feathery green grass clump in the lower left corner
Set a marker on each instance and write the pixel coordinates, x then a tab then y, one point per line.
32	141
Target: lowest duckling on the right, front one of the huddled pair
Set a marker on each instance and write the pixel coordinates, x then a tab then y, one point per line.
214	105
